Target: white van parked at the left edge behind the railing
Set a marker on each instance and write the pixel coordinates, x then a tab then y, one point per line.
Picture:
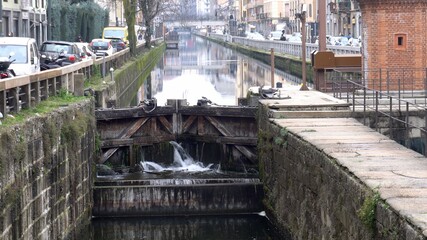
23	51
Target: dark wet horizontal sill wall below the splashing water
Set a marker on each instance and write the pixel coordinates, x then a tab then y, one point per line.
166	197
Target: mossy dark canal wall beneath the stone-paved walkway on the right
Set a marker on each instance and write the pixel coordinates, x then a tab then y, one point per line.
311	196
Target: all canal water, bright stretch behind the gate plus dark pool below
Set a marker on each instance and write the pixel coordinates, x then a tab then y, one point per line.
198	69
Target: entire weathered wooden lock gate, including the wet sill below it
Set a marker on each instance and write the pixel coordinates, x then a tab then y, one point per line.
231	132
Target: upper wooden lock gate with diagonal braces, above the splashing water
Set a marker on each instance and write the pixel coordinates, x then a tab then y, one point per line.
234	129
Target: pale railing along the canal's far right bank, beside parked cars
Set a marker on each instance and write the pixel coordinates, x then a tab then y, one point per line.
283	47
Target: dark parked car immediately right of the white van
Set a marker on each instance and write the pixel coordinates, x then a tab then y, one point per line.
52	50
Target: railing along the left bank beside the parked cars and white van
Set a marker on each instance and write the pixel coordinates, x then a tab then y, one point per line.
22	92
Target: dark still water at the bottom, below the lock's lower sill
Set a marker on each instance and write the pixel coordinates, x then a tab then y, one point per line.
185	228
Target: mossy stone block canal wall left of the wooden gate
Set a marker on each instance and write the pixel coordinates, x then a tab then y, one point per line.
46	174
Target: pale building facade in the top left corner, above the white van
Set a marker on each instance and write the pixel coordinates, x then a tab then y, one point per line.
25	18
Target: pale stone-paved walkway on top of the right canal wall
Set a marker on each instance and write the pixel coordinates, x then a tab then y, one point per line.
399	174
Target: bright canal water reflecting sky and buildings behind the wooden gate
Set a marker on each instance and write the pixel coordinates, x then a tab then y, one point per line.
201	68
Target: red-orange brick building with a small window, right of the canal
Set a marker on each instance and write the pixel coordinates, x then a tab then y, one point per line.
394	45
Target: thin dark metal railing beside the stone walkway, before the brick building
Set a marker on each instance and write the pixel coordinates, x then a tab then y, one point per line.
390	93
